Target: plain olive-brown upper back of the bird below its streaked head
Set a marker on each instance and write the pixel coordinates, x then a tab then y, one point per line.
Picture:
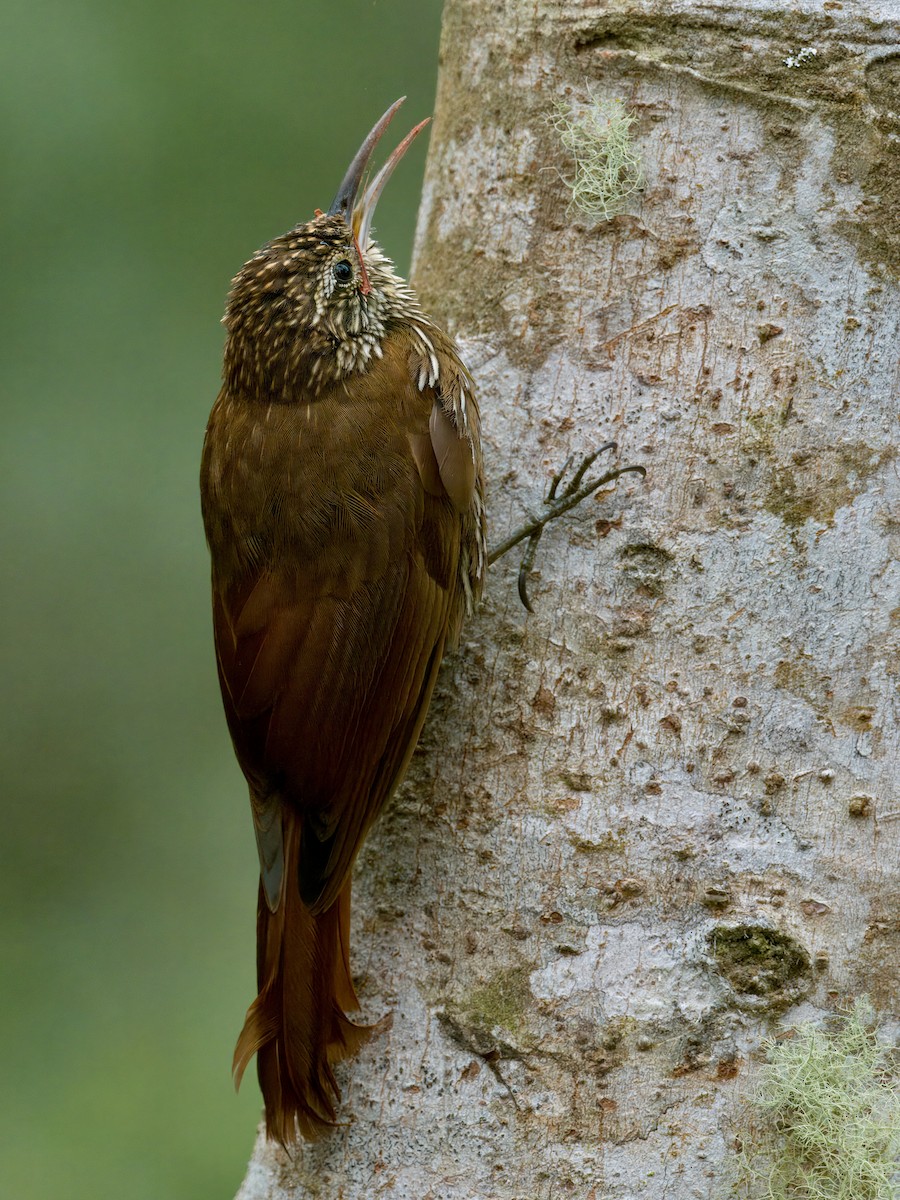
327	484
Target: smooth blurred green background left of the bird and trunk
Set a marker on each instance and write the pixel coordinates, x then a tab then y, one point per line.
148	149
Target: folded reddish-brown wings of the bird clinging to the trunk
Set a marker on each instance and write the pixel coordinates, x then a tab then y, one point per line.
328	658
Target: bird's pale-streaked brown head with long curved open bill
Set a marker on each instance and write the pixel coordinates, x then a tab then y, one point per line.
314	305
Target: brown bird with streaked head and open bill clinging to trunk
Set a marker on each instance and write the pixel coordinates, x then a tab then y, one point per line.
343	500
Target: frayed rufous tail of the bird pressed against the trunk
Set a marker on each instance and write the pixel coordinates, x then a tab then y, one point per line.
297	1025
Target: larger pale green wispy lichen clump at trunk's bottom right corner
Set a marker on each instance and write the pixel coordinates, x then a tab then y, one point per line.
833	1129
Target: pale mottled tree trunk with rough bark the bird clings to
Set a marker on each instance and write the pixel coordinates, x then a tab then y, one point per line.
655	821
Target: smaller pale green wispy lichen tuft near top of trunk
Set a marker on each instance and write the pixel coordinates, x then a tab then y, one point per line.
608	167
